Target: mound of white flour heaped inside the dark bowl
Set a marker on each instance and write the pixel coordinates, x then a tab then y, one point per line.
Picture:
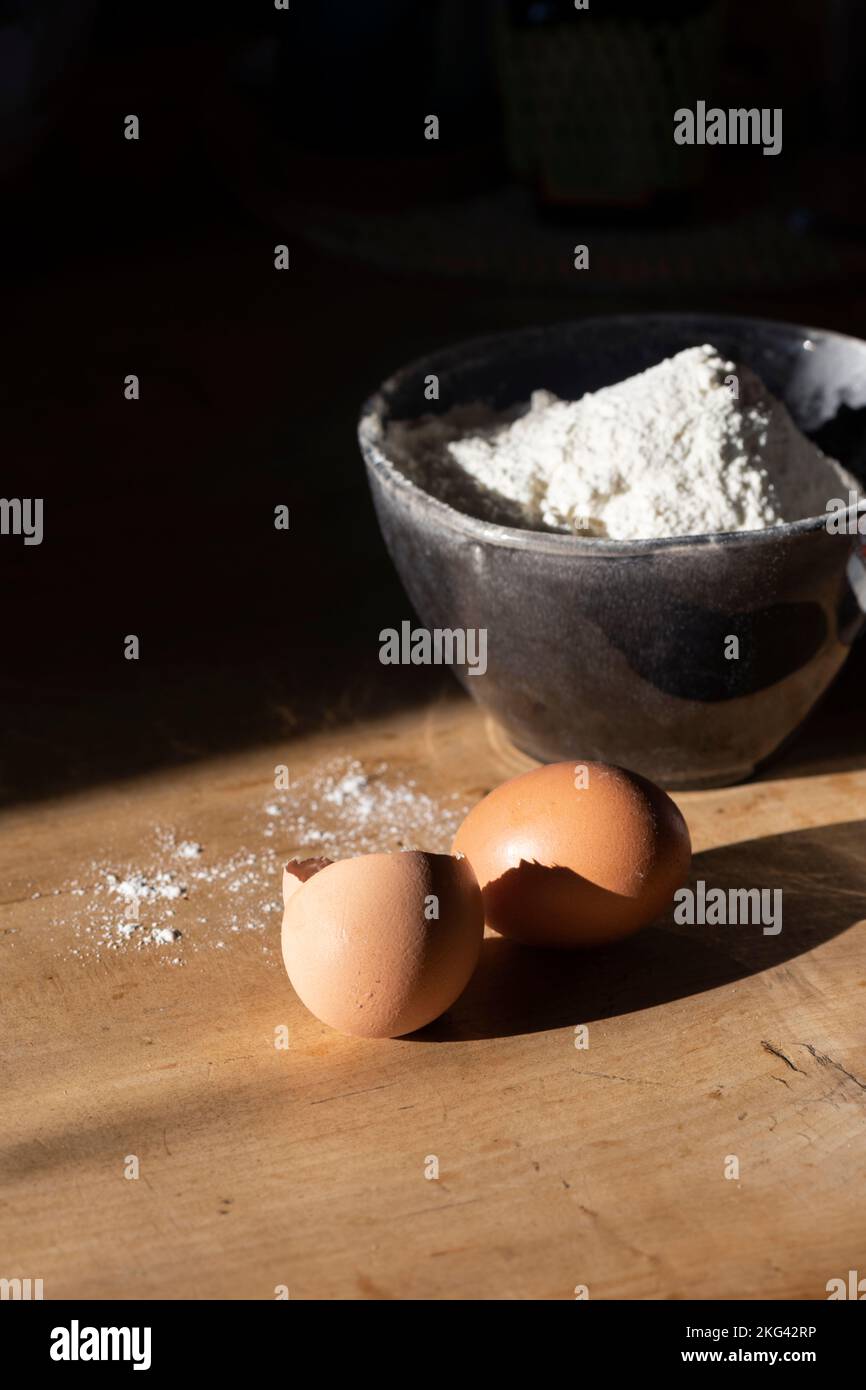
693	445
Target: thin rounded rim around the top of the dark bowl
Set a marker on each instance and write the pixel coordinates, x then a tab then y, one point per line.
370	433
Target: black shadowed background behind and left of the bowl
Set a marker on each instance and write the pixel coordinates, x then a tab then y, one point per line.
308	127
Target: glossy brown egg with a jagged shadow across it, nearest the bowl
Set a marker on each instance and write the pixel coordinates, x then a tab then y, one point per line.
573	865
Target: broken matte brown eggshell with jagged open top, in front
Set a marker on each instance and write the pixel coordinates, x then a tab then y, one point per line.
362	950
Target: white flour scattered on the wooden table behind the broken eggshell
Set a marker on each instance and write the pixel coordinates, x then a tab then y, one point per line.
180	899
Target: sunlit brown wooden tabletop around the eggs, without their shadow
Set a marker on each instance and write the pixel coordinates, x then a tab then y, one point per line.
304	1167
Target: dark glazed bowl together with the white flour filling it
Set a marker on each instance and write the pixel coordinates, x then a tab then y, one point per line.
654	519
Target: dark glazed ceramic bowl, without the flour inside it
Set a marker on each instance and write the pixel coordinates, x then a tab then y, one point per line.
615	650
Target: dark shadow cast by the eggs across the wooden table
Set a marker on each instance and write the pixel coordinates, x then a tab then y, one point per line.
515	990
